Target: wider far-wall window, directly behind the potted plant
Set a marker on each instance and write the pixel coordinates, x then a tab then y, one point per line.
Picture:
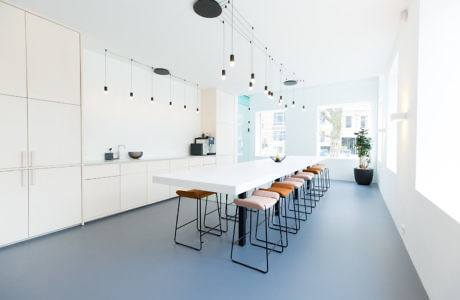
336	128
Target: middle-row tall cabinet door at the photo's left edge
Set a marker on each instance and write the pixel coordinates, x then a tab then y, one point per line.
13	132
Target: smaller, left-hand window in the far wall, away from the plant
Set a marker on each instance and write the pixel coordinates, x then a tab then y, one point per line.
270	133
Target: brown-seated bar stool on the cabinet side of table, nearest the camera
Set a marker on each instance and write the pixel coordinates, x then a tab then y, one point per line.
198	195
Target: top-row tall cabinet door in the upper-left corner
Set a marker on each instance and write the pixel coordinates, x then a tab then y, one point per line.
12	51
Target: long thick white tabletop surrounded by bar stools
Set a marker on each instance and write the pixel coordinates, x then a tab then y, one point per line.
236	178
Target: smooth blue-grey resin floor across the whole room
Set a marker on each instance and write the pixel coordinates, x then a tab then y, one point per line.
348	249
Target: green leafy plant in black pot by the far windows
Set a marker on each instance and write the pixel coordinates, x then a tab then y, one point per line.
363	144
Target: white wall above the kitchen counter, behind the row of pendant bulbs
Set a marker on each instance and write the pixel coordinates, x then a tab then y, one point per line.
113	119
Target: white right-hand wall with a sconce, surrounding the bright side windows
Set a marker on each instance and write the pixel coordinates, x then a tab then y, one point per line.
430	235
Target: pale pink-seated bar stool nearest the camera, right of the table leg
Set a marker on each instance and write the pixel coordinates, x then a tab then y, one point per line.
256	203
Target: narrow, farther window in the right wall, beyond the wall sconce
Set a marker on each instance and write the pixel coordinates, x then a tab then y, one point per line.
392	133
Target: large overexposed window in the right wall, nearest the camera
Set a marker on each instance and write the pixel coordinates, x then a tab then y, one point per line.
437	140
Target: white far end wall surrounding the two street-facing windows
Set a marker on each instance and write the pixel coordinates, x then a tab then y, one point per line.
302	126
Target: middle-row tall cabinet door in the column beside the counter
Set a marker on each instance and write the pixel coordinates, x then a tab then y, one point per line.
54	134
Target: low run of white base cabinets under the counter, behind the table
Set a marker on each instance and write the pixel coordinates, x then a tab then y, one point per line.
117	187
